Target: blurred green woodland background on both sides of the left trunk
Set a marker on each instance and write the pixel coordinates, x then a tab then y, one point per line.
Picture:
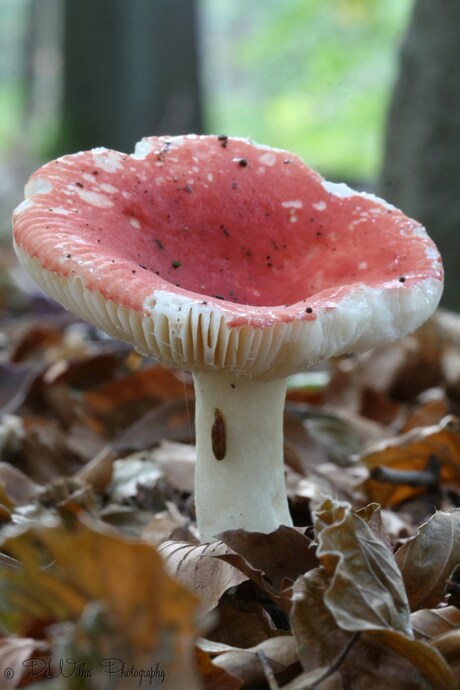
312	77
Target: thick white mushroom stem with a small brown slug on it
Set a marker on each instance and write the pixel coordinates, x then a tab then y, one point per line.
241	422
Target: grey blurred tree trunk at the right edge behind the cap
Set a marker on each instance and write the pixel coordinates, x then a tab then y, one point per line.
421	171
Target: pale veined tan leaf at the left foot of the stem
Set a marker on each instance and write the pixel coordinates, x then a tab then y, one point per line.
198	569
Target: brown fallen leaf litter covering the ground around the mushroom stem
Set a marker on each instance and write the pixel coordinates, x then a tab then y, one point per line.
103	580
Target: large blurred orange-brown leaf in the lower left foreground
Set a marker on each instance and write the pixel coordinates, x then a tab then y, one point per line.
151	614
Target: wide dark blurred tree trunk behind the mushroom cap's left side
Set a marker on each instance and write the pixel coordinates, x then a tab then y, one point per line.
130	70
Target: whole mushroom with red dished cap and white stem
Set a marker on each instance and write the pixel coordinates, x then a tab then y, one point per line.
234	261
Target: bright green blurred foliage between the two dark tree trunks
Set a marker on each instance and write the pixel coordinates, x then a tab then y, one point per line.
313	76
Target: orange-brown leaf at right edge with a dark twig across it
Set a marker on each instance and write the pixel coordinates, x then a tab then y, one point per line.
412	451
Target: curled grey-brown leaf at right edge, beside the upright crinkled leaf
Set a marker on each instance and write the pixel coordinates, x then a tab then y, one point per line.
427	560
